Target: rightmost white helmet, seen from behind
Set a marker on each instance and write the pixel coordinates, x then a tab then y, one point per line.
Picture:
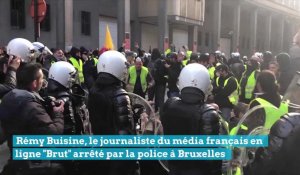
194	75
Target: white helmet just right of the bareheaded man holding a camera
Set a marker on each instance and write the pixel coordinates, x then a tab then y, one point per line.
63	73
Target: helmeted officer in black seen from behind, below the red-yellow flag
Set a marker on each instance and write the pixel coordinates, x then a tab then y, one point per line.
109	107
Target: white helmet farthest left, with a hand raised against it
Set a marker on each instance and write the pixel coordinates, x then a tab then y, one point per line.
22	48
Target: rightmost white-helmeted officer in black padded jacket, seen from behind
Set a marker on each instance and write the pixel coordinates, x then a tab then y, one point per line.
189	115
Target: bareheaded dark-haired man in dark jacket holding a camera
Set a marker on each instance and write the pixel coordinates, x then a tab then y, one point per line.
24	112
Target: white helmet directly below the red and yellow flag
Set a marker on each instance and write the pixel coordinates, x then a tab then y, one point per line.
114	63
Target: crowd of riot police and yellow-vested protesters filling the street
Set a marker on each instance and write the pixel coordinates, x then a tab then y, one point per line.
81	91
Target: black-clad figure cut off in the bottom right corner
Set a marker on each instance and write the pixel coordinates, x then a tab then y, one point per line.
282	154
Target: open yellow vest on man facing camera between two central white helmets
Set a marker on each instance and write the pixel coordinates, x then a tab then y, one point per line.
143	76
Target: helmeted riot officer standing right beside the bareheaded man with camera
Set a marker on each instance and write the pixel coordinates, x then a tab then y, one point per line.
61	85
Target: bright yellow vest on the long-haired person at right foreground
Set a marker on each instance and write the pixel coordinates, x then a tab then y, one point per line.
272	113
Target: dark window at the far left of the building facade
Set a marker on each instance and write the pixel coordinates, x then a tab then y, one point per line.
17	14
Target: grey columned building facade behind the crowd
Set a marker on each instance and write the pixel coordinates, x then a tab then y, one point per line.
205	26
